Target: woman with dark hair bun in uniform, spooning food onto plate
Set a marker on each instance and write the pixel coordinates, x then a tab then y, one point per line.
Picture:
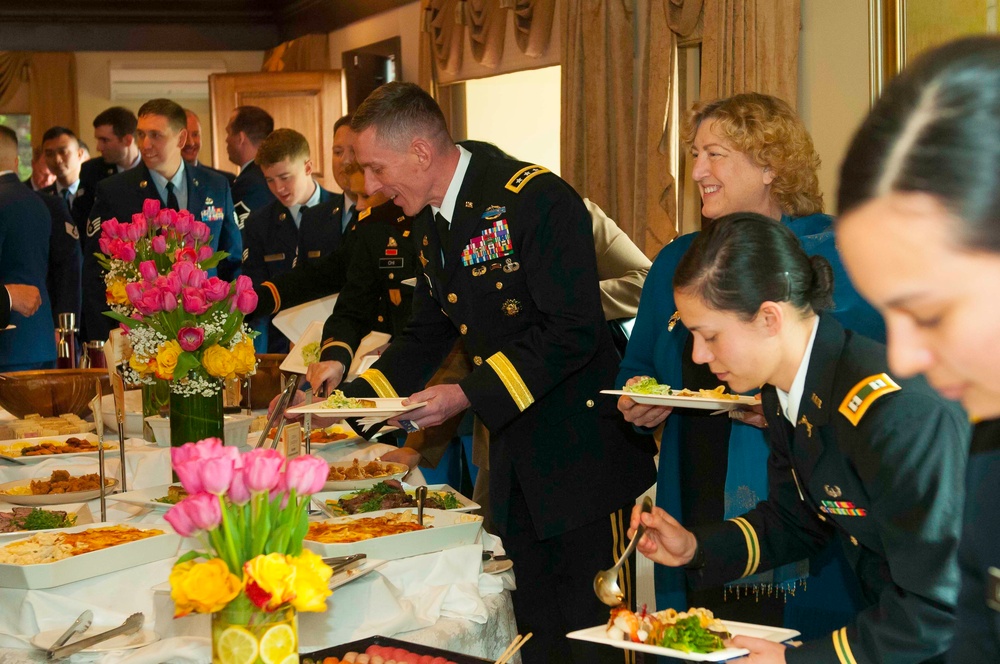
856	454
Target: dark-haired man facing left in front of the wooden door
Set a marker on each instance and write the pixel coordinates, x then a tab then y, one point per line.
247	128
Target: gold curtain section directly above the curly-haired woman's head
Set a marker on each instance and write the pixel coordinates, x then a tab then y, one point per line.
751	46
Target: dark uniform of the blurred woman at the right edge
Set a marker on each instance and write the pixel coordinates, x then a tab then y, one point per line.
977	633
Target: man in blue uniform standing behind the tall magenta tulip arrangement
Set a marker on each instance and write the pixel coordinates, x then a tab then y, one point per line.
163	174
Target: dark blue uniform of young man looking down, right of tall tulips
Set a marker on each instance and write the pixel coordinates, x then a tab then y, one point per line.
273	245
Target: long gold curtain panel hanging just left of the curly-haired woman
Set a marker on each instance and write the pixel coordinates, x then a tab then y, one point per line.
616	87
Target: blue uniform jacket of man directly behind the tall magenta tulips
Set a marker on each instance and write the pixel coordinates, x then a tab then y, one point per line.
121	196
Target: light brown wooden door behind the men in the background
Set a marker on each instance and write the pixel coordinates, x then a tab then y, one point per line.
308	102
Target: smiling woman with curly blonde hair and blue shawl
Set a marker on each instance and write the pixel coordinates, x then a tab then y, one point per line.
750	153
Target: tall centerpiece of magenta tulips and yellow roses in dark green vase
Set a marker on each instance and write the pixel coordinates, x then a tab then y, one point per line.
183	326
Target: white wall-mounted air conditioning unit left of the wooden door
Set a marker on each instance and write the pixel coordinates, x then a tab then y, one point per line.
173	80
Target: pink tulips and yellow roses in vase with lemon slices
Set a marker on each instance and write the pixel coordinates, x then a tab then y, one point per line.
248	512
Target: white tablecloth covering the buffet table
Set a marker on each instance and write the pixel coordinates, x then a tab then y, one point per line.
439	599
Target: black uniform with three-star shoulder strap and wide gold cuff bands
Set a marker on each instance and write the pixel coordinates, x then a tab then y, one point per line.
519	285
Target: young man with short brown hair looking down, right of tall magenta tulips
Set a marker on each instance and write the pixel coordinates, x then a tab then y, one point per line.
279	235
